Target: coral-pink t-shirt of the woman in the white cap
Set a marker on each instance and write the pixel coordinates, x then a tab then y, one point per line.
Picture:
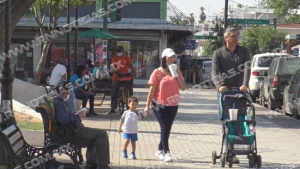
167	88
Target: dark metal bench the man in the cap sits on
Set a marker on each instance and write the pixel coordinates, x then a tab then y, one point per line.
61	134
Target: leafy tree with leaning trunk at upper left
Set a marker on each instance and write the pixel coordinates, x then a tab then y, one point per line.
52	9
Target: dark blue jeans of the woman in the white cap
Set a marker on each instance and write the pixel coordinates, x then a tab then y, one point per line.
165	116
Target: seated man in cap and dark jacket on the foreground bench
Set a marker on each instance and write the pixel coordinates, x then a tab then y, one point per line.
97	154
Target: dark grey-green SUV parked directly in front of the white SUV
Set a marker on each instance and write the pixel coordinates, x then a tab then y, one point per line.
280	72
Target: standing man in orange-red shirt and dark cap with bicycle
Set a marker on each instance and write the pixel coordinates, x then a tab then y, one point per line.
122	66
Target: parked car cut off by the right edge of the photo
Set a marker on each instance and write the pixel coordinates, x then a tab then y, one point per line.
291	96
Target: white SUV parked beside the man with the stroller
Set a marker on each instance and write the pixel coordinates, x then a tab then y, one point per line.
259	70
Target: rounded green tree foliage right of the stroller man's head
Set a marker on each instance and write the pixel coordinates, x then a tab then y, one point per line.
262	39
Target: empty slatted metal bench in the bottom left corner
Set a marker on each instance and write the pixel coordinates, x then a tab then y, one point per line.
19	154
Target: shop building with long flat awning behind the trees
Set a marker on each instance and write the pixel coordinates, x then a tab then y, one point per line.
144	31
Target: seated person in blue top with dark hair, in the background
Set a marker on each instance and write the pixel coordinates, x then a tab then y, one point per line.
82	90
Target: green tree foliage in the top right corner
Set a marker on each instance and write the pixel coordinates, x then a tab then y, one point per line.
287	9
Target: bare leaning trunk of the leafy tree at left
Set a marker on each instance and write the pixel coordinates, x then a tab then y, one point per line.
42	62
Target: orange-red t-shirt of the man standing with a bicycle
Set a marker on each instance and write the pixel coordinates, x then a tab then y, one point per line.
122	64
